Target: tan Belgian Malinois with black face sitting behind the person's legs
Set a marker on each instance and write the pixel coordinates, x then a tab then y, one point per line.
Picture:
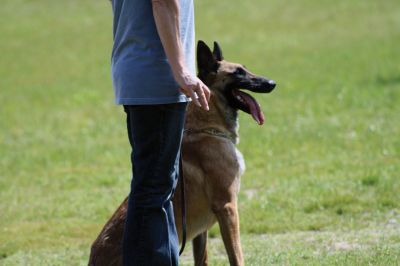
212	165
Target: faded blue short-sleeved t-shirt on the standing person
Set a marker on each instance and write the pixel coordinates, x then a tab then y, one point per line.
140	70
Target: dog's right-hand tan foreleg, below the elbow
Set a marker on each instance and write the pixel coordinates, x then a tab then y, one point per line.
228	220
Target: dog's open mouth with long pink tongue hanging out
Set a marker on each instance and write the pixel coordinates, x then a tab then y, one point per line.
248	104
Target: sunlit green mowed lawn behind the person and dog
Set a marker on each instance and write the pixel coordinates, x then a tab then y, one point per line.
322	181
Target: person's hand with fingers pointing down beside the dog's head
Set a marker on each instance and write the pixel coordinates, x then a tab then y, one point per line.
194	88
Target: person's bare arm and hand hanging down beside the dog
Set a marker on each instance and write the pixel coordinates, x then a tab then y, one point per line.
166	16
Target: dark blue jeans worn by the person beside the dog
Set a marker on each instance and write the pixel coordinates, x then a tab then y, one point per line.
155	133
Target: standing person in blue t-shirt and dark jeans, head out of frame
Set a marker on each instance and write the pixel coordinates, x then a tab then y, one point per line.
153	74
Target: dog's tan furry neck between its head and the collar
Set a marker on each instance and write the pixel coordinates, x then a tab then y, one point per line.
220	117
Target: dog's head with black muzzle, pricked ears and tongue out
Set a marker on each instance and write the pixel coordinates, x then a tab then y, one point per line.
227	80
